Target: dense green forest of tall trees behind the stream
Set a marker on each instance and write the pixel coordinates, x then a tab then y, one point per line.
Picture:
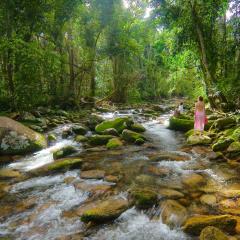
63	52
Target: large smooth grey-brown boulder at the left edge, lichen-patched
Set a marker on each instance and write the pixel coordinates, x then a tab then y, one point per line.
17	139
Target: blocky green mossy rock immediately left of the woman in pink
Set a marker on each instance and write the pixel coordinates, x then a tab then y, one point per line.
181	124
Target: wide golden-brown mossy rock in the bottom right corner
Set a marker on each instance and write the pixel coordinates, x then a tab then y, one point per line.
194	225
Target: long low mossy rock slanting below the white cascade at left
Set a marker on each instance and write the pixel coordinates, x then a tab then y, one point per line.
58	166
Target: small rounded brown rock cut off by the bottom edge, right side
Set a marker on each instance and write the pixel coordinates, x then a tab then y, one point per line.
213	233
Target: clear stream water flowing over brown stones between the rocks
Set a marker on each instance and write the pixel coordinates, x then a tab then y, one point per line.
40	207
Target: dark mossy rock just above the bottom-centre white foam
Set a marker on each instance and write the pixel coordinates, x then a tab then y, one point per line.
144	197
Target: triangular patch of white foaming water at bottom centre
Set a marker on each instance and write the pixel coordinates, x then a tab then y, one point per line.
133	225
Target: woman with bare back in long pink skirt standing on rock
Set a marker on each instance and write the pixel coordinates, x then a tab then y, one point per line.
199	115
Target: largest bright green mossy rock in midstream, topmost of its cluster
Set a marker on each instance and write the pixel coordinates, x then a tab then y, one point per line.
118	124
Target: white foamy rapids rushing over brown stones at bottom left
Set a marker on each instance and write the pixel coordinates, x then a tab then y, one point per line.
58	197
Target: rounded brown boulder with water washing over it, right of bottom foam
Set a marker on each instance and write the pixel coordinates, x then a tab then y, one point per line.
173	213
